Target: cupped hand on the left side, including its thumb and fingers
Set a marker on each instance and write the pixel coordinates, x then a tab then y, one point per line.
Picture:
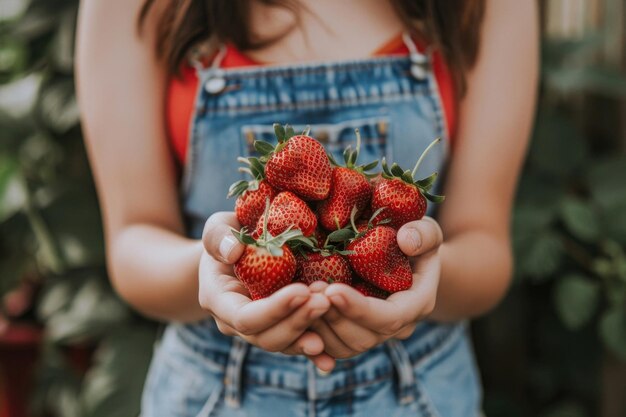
278	323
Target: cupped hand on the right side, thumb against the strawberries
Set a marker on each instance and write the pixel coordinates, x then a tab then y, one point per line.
355	324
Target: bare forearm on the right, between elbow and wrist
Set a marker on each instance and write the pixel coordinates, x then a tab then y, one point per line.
476	272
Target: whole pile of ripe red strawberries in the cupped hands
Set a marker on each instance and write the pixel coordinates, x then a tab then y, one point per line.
305	217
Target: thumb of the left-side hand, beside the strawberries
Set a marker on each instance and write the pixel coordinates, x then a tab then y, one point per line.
218	238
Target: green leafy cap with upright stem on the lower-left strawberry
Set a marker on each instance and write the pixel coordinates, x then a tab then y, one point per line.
273	244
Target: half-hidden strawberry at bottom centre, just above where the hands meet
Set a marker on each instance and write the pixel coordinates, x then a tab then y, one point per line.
323	266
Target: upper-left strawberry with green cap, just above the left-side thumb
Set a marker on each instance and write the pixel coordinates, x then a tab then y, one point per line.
251	194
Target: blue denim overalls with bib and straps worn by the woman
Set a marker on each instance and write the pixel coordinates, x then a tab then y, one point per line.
197	371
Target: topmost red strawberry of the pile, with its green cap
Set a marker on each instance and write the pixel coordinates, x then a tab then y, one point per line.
298	164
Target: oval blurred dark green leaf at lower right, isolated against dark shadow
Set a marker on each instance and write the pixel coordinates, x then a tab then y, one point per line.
576	298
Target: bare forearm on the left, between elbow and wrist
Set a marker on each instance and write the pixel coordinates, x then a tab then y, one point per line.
156	271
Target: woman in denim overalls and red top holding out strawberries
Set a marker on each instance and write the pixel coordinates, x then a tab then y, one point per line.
173	91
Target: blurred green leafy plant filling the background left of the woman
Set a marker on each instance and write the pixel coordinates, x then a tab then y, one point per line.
50	231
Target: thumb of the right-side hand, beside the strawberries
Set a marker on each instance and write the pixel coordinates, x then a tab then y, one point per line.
420	236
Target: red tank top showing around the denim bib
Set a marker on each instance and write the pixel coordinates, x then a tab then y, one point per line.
181	91
